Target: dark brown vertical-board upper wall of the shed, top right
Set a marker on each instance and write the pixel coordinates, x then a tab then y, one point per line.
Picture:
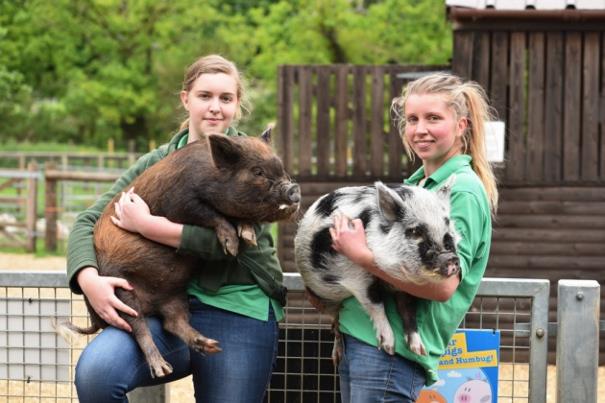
546	81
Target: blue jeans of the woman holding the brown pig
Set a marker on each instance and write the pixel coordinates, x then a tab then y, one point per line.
112	364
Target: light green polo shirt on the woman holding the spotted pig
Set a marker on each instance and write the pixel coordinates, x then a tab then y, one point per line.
438	321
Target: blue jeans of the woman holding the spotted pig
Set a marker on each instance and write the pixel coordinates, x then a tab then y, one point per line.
369	375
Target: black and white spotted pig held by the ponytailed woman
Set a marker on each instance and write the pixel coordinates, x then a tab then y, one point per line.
410	234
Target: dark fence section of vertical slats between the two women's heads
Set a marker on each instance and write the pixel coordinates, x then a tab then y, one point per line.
334	121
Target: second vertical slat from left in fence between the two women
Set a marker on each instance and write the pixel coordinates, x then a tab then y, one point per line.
304	131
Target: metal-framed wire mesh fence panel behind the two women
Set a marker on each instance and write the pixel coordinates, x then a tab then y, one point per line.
304	371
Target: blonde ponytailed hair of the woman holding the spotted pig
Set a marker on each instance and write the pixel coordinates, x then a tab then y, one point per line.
468	100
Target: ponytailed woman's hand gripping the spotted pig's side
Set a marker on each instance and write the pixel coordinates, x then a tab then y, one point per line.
349	239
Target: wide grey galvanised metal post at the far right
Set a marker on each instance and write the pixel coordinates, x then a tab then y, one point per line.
578	340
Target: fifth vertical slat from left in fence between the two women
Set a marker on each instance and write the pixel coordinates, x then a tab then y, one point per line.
359	122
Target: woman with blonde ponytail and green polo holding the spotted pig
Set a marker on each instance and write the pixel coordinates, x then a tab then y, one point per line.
441	121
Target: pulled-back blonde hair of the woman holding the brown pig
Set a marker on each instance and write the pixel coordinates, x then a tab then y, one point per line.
214	64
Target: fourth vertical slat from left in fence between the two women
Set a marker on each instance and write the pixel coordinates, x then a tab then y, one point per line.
340	121
